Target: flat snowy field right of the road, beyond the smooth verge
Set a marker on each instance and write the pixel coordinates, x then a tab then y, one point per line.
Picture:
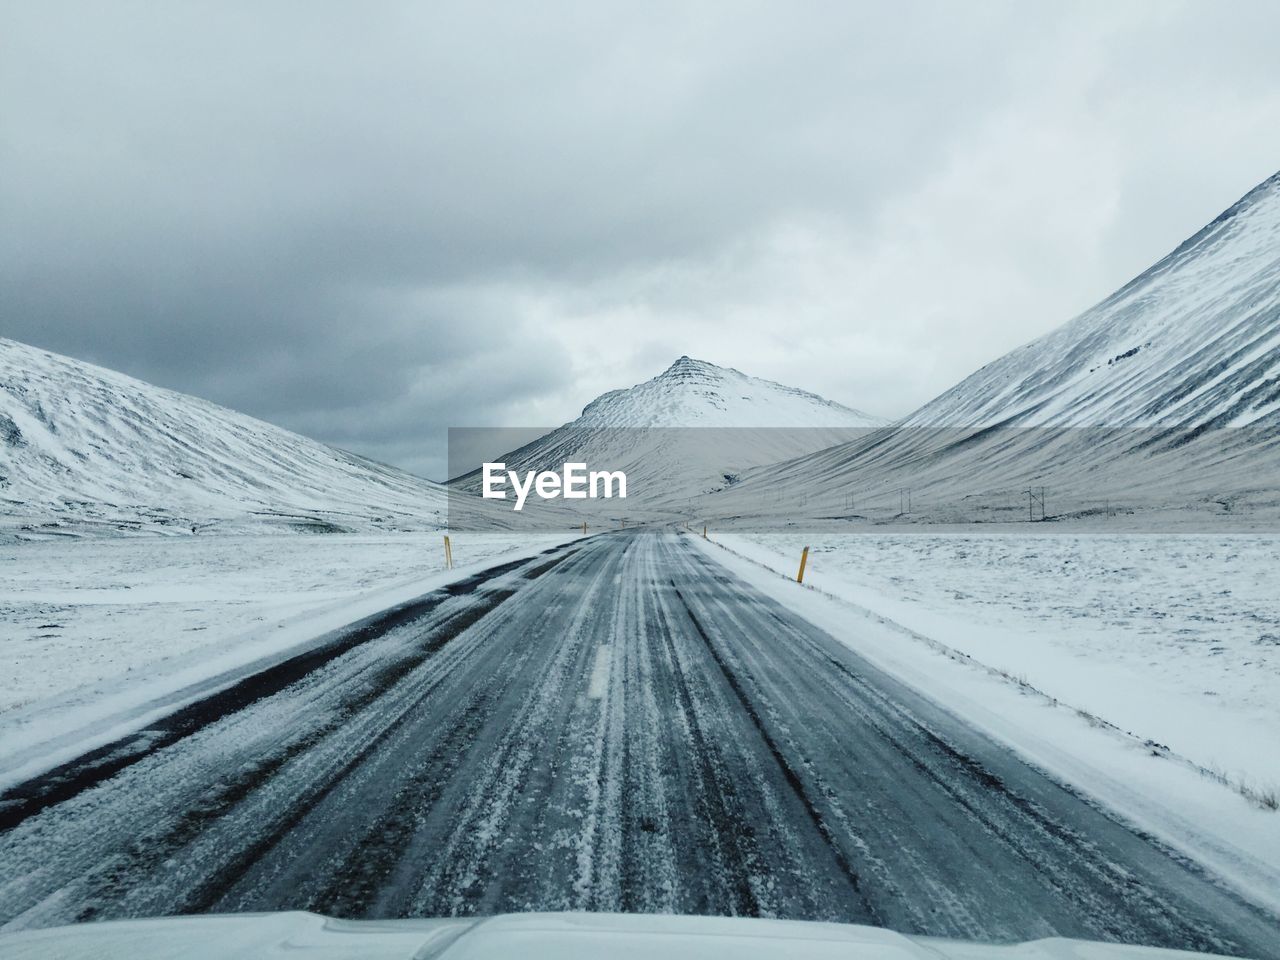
1172	638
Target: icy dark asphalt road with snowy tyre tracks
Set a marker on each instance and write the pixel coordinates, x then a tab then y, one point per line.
616	725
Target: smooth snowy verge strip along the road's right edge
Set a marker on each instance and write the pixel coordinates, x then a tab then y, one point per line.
1156	793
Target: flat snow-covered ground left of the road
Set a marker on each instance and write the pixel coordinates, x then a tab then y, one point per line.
90	627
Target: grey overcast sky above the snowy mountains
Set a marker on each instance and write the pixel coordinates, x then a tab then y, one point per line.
371	222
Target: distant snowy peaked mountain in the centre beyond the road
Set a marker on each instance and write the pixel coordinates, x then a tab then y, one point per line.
692	429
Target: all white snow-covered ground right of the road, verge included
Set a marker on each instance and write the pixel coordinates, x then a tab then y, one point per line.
1080	655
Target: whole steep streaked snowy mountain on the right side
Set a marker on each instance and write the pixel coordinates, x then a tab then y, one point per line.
1167	394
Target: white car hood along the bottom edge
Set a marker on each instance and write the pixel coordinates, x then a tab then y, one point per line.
303	936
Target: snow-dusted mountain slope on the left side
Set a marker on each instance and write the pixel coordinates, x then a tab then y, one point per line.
86	449
